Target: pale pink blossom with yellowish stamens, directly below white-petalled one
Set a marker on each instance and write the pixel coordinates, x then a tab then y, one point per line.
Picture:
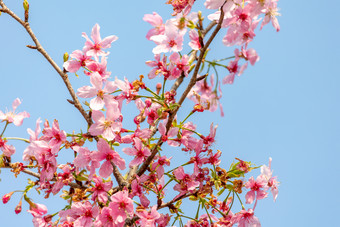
107	127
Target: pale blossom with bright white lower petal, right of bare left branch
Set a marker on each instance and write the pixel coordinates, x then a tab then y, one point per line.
102	94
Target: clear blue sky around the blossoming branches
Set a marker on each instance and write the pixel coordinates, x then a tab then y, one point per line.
286	107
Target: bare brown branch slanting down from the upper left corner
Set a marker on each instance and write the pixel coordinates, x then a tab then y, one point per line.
39	48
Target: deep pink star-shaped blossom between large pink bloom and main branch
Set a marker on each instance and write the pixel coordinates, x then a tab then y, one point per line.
139	152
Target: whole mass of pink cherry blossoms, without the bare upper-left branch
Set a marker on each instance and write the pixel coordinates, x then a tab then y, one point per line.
93	197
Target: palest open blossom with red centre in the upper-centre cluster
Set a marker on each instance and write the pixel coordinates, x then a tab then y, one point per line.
172	40
